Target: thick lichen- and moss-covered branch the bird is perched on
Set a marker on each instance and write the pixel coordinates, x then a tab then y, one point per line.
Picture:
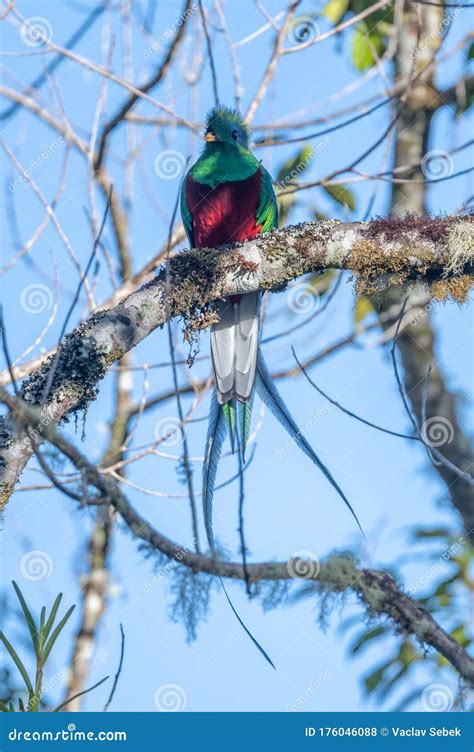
438	252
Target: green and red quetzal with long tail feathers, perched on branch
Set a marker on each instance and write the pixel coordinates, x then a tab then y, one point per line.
228	197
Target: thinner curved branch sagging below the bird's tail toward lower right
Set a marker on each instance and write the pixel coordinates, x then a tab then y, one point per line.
339	573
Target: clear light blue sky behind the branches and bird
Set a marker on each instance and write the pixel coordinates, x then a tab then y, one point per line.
289	506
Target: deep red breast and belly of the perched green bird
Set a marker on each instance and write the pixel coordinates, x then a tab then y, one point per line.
226	213
